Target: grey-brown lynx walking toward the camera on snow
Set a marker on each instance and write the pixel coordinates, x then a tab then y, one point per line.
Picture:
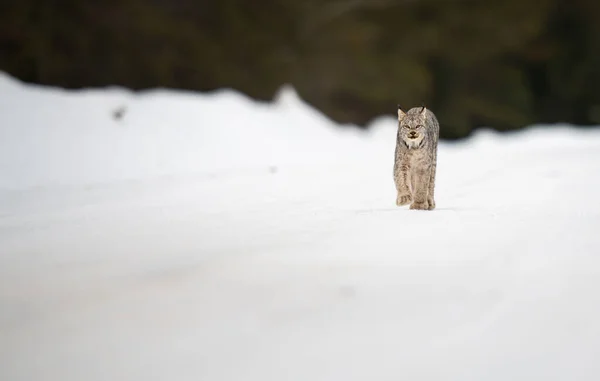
416	158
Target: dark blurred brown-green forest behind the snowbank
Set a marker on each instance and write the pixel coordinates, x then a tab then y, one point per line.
503	64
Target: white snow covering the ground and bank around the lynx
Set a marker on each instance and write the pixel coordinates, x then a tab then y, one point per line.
208	237
